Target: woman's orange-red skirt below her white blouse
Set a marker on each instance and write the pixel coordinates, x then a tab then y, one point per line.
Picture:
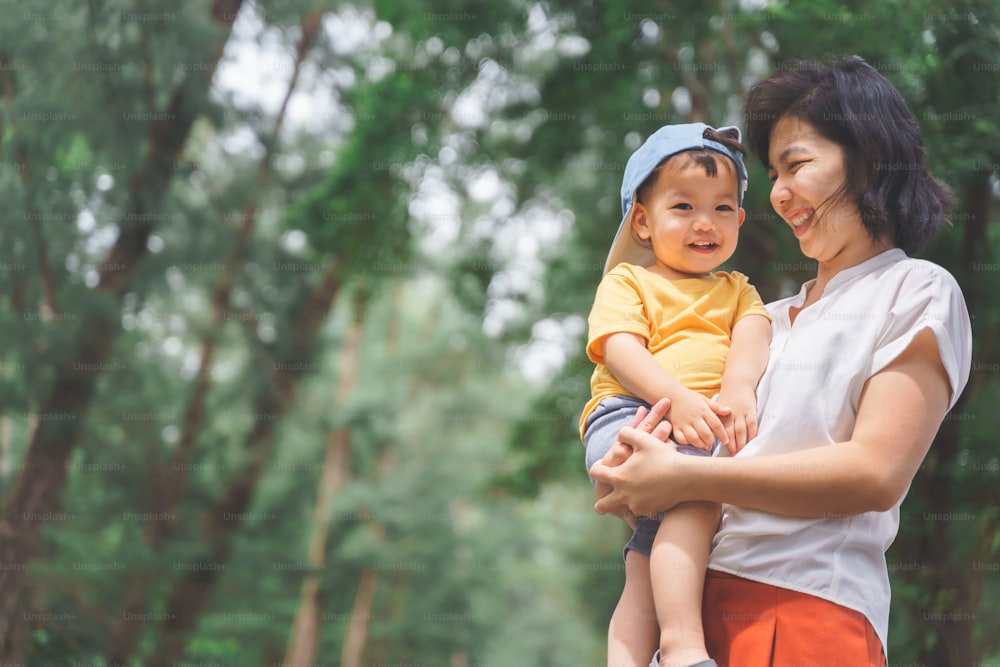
750	624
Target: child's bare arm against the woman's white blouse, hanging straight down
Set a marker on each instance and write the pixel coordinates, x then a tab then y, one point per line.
745	363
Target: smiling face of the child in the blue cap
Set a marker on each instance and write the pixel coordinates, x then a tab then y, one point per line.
692	219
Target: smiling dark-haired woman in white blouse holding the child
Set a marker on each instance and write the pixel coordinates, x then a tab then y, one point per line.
866	360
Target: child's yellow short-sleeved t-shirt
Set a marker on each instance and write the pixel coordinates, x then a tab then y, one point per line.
687	325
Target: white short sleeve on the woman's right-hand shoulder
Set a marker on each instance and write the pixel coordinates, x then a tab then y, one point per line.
928	297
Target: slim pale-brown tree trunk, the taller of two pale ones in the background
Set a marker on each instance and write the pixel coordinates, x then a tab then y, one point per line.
304	638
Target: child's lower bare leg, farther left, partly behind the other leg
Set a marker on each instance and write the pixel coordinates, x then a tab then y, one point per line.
633	631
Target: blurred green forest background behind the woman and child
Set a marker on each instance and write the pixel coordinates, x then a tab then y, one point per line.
293	309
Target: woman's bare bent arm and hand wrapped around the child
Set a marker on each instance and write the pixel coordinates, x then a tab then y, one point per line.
900	411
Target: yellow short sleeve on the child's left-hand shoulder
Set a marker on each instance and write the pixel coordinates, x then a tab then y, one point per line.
618	308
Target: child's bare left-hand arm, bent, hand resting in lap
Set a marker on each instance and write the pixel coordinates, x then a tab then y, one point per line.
695	419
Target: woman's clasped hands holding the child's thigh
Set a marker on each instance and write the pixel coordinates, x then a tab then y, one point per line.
630	477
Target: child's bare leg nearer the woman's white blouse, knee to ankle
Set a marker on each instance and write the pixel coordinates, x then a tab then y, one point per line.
677	572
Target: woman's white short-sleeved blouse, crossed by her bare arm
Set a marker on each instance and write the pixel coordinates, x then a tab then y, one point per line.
808	397
